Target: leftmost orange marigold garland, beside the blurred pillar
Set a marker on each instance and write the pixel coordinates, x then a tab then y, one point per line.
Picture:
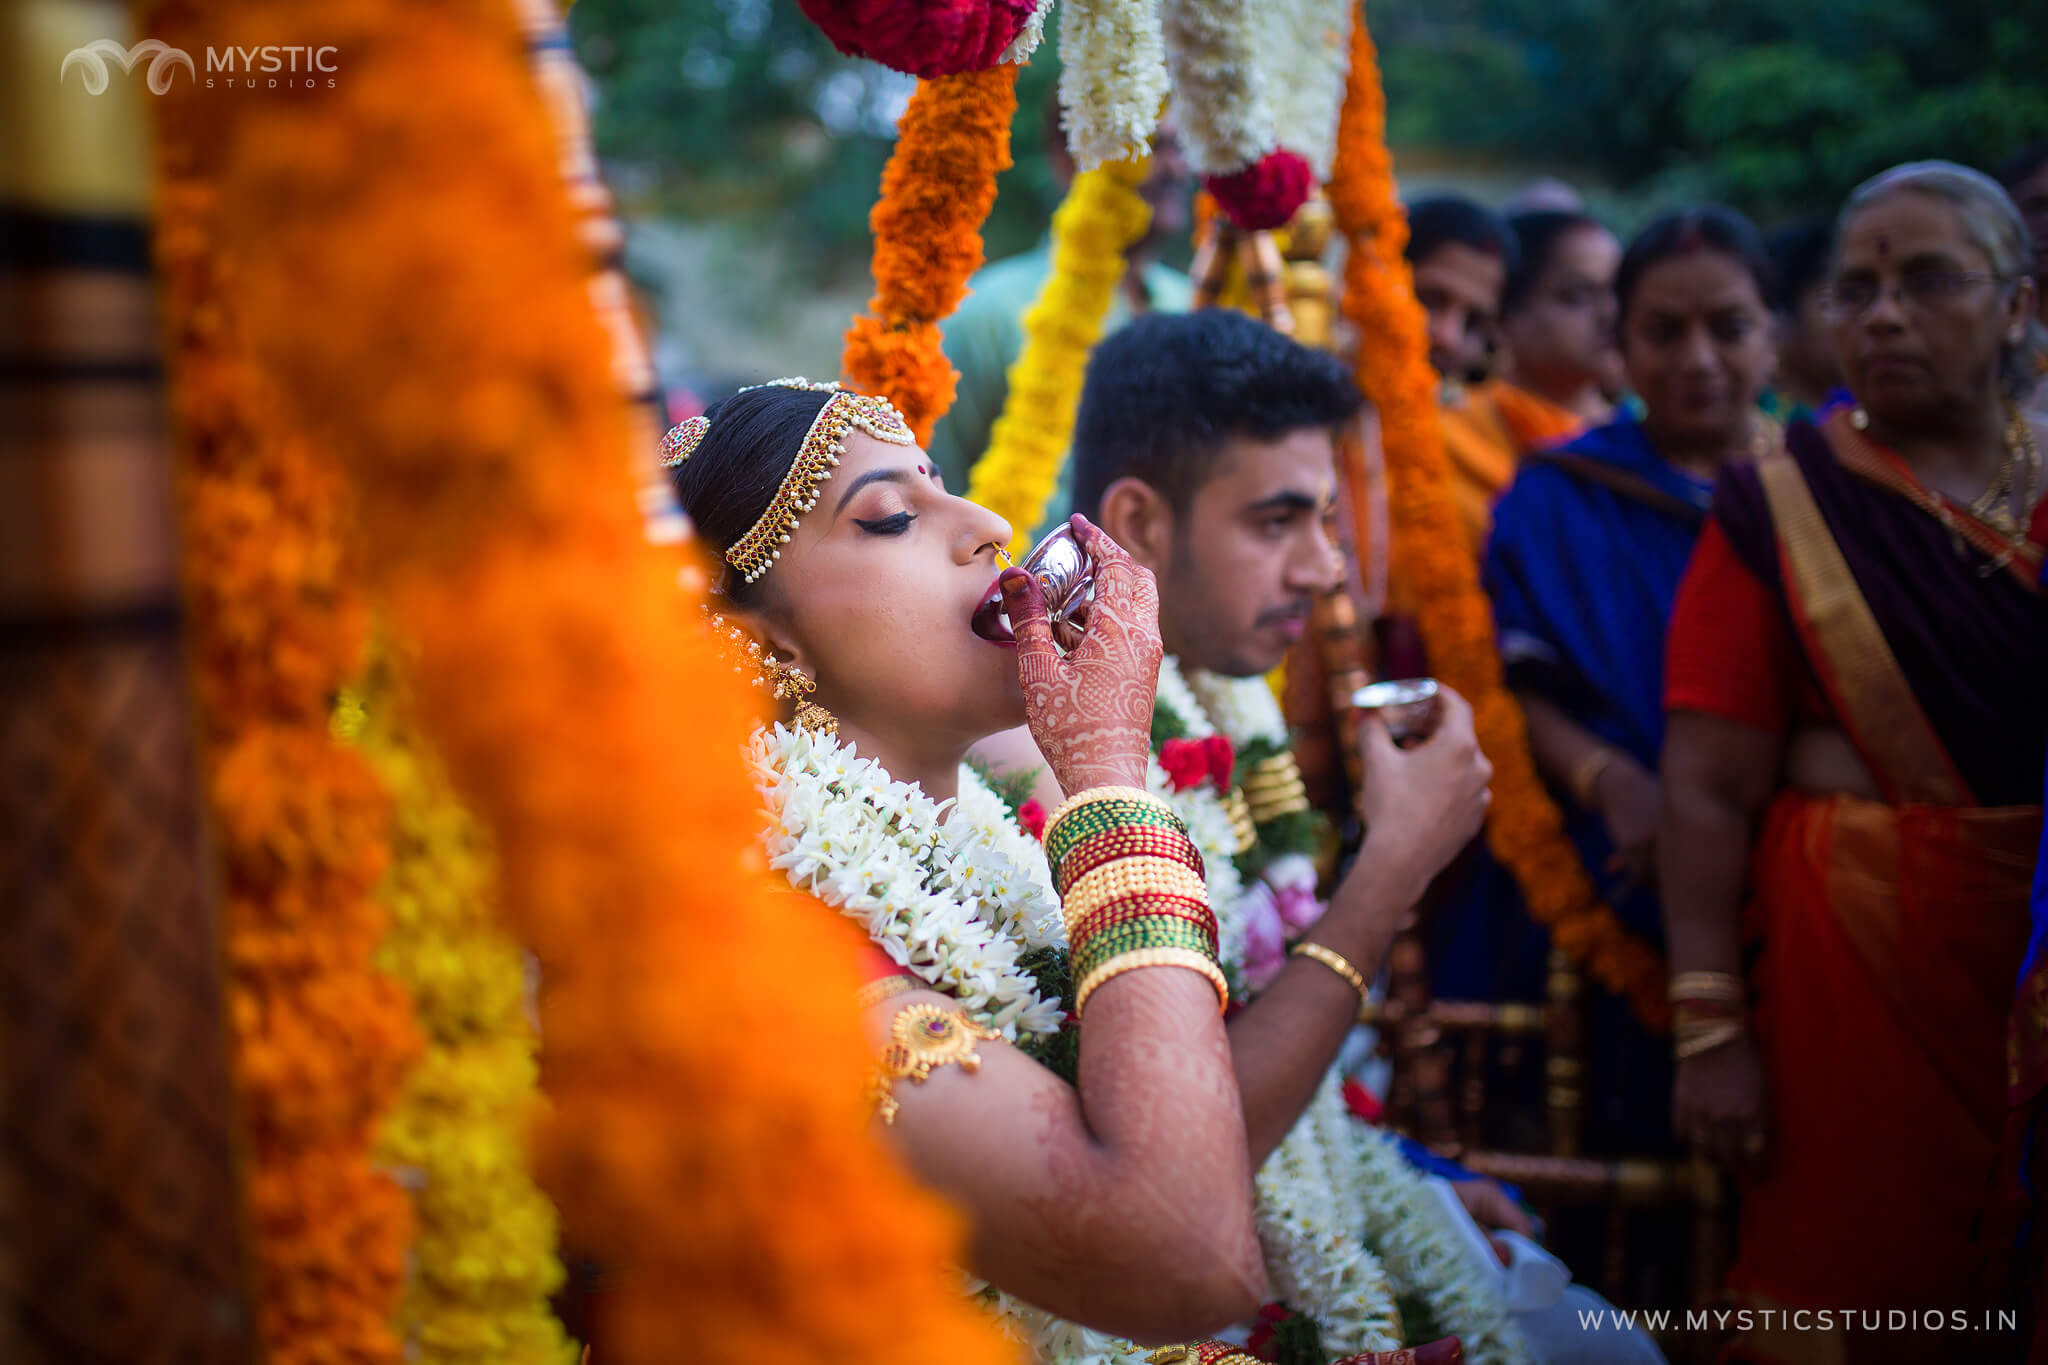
300	822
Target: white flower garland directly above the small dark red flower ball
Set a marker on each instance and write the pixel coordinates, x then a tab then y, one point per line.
1220	91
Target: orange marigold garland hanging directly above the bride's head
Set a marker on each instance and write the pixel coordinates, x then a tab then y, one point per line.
937	191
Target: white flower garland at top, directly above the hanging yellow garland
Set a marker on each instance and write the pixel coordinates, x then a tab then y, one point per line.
1113	83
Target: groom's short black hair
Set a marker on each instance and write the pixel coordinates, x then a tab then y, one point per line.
1166	392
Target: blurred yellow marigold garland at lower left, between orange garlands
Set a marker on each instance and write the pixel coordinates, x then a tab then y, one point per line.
484	1262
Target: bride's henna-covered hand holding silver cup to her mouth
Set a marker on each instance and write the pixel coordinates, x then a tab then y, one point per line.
1091	711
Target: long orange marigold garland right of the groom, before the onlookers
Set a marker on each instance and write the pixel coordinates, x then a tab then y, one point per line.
1525	828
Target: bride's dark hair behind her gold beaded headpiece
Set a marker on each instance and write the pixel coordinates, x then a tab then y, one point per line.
740	464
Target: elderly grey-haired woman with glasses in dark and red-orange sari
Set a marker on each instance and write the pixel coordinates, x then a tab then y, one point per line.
1857	717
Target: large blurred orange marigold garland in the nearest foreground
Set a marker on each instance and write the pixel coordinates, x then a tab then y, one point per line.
425	304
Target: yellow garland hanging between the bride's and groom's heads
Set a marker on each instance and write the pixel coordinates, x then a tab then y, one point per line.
1101	216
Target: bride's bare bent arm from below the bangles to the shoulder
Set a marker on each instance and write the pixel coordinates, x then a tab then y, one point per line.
1123	1204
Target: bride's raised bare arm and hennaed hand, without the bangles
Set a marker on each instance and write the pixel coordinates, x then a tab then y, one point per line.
1123	1202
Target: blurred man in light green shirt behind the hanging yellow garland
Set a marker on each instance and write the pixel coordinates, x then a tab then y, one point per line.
988	331
